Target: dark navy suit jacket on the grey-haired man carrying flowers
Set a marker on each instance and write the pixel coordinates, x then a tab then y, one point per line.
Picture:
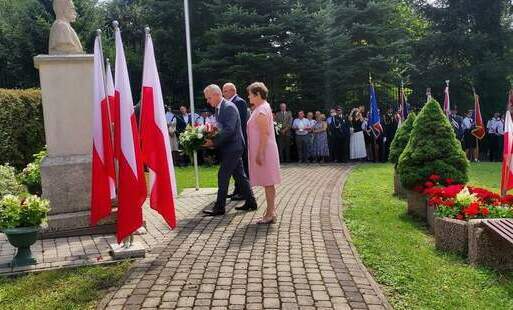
230	138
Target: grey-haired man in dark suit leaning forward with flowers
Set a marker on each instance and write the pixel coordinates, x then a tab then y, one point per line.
230	144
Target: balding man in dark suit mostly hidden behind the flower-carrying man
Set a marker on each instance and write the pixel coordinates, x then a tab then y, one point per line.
230	94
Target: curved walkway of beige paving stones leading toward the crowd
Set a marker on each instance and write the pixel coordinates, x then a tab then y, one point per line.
305	261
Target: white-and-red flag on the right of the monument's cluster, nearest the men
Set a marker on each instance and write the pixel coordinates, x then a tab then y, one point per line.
156	148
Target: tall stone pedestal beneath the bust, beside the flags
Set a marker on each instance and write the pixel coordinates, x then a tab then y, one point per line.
67	96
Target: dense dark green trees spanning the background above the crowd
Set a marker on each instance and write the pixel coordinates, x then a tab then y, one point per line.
312	54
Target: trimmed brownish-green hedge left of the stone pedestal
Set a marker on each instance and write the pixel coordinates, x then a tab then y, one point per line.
21	126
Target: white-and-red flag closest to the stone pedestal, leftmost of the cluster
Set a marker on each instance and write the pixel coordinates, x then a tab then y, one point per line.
103	187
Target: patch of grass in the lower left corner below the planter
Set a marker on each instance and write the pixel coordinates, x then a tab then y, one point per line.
78	288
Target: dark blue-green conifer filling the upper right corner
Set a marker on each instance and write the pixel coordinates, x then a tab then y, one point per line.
467	43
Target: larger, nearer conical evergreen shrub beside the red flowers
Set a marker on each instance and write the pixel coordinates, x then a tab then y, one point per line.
432	149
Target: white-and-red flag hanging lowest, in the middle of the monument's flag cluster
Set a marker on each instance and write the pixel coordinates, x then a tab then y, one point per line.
132	185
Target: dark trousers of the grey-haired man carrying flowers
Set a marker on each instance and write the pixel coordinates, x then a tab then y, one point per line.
231	165
